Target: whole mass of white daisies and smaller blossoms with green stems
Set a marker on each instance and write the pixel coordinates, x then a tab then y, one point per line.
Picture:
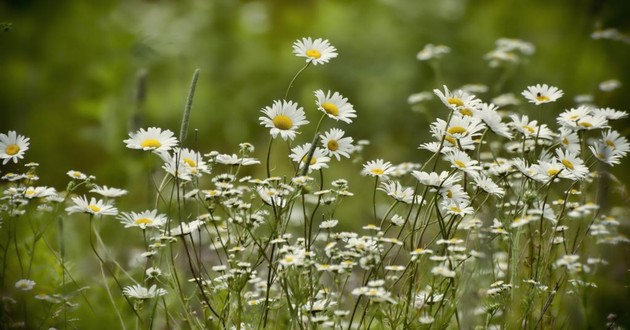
500	213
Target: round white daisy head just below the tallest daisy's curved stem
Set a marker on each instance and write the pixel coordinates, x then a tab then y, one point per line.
284	118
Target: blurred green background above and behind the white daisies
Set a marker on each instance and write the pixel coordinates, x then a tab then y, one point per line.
77	76
